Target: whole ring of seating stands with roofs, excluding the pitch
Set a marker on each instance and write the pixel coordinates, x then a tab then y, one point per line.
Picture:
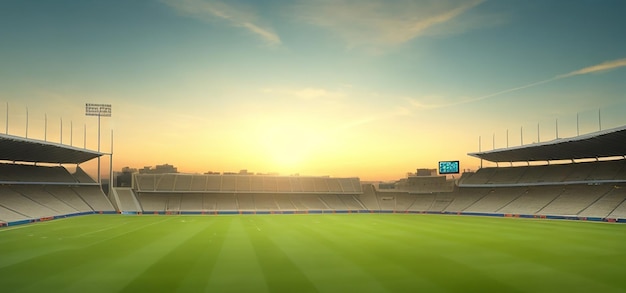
587	182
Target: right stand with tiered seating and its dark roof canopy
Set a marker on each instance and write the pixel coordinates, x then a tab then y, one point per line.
587	188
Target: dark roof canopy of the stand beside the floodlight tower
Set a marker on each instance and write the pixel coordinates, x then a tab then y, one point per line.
14	148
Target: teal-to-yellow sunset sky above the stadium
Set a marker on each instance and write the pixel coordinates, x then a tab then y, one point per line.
365	88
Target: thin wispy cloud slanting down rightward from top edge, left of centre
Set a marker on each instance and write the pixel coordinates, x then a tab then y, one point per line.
236	16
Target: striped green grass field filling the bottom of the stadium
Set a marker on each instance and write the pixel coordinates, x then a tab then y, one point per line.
312	253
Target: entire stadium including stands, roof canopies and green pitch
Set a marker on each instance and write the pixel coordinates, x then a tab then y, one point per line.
538	226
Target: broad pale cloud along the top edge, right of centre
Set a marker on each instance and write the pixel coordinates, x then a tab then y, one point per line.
382	23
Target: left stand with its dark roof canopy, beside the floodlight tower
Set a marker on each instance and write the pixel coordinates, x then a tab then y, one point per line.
35	186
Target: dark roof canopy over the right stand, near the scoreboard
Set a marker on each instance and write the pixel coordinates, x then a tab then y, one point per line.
601	144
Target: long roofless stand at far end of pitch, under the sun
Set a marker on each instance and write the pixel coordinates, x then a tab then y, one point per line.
244	193
